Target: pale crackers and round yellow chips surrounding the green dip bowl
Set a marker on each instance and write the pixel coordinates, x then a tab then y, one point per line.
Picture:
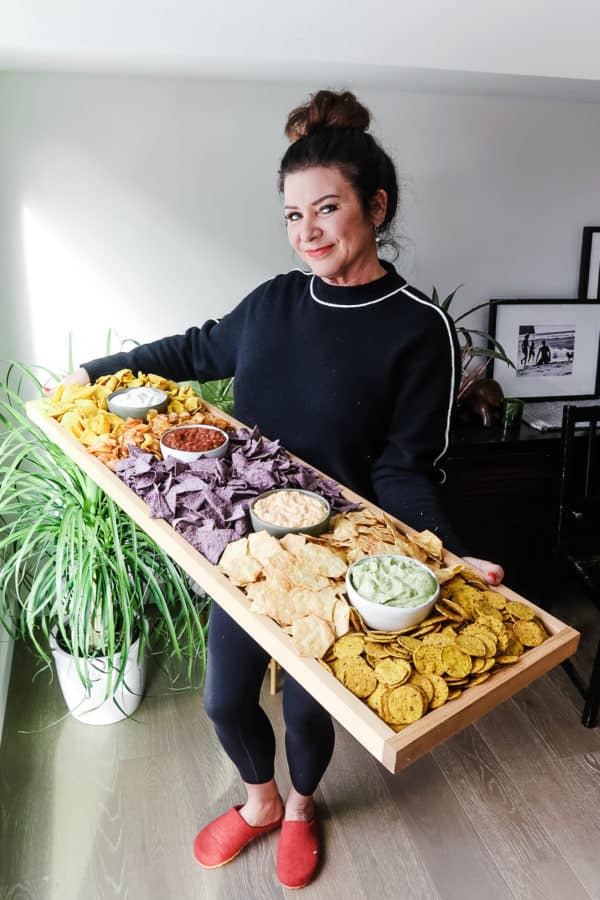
298	582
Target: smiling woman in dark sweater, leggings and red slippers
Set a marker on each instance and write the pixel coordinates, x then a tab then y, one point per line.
356	372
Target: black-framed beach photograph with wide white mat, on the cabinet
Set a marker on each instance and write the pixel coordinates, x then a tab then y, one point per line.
554	345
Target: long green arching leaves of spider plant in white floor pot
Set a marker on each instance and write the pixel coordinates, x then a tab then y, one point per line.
71	561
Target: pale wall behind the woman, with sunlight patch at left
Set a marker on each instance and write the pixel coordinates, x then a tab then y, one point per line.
148	204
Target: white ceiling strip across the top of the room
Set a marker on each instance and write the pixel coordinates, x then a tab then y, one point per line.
540	48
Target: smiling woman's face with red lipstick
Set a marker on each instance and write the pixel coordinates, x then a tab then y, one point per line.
328	228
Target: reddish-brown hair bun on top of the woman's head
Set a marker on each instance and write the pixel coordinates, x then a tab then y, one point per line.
327	109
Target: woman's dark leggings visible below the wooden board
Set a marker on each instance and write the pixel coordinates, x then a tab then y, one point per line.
235	670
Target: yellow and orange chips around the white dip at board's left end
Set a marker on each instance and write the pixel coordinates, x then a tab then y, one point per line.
83	410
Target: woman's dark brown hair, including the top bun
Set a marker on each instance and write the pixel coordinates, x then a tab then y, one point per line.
331	130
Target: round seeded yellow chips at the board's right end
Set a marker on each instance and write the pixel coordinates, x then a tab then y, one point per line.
472	633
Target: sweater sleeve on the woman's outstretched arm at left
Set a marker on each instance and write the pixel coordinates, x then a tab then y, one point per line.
203	354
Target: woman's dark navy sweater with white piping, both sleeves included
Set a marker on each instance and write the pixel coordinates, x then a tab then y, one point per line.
357	381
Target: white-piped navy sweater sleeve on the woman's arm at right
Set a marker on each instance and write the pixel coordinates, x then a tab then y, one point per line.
406	475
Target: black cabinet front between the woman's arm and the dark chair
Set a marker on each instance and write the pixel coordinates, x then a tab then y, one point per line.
502	495
